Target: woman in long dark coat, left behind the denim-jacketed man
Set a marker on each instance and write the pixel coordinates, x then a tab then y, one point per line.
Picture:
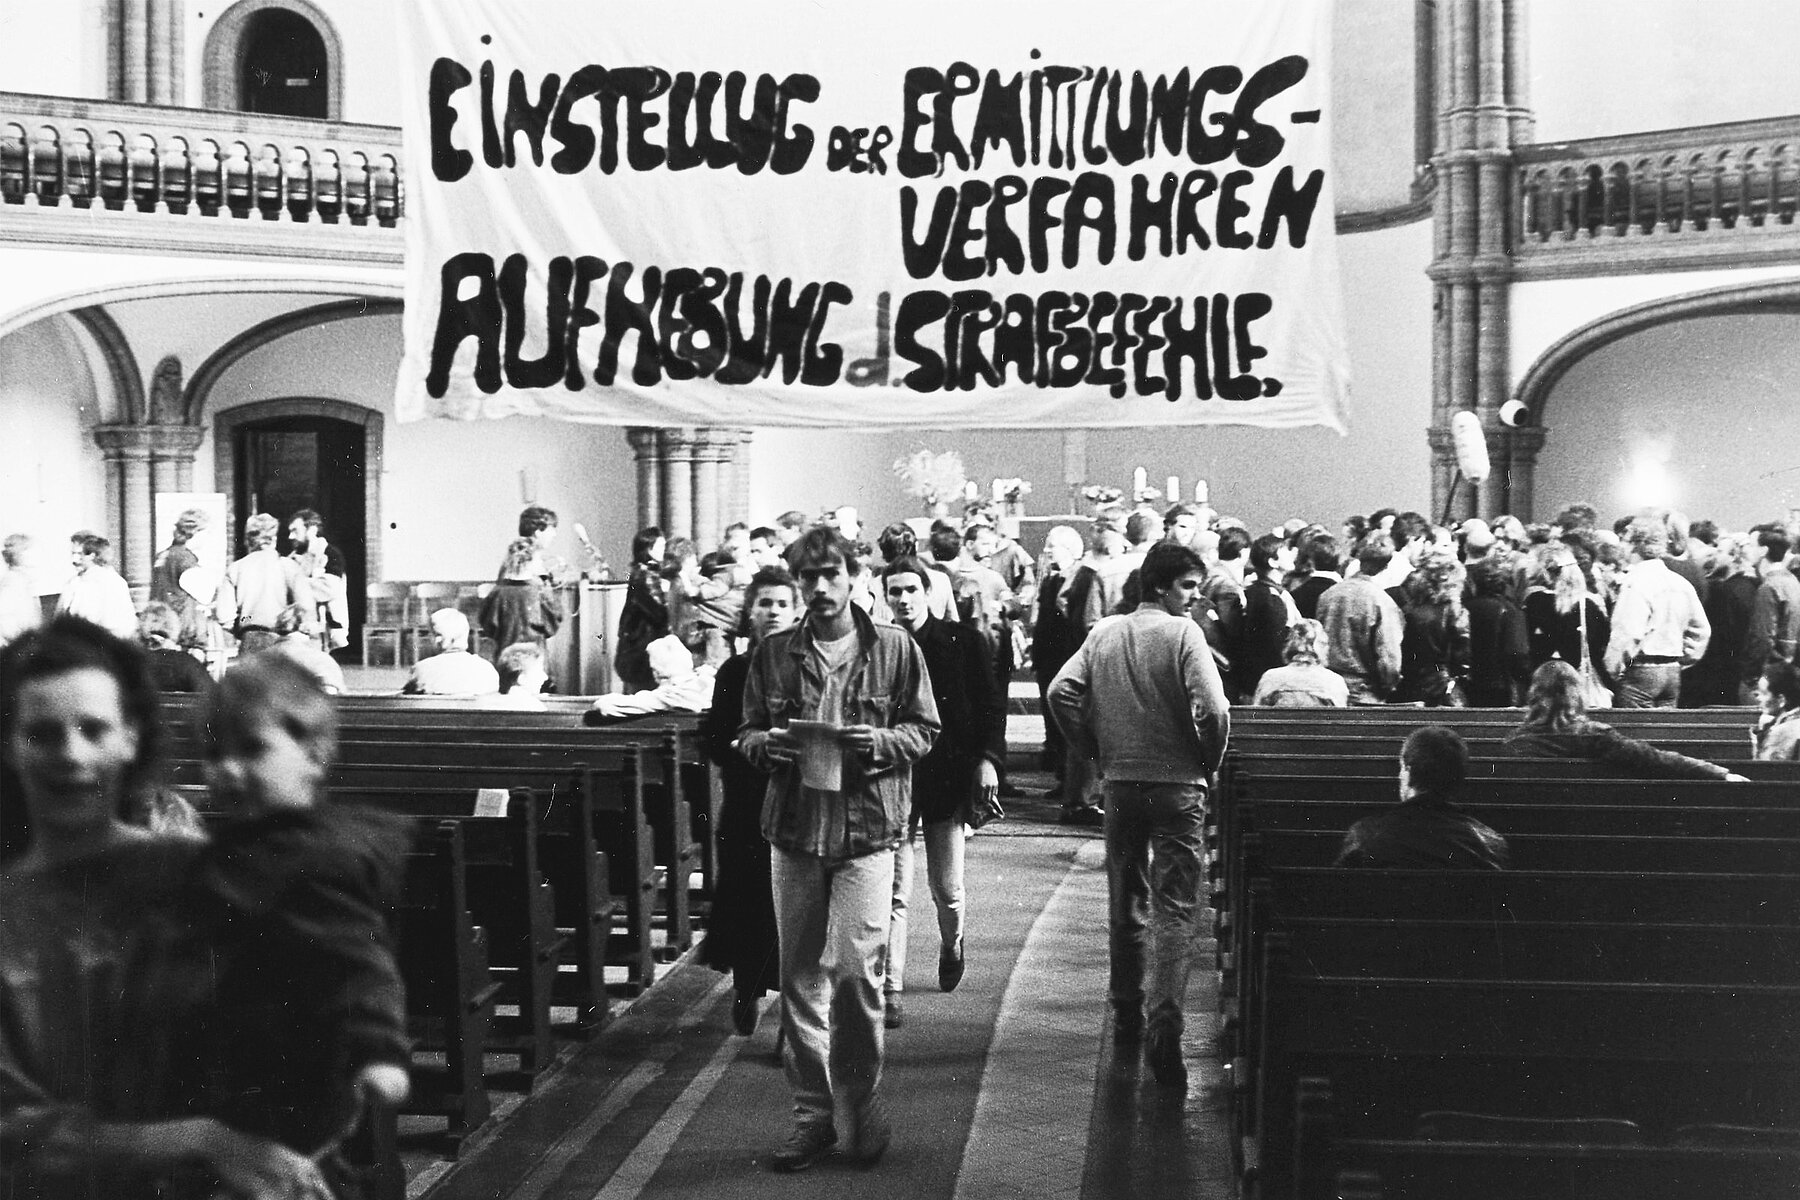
742	935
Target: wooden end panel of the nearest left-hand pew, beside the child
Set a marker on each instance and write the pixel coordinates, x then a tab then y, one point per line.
451	994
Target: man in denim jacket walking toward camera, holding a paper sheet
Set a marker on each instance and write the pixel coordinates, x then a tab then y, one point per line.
834	850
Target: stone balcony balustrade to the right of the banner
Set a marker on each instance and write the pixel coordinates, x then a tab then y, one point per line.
1705	184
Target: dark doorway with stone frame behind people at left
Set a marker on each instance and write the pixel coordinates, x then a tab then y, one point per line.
283	456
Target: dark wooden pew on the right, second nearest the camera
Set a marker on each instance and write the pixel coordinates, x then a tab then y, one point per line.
1660	1055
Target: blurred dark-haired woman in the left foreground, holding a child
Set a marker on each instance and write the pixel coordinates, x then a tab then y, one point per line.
91	1106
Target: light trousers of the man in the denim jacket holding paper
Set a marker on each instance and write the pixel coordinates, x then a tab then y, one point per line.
832	924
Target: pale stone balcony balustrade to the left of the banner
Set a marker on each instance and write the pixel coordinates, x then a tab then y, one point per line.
204	165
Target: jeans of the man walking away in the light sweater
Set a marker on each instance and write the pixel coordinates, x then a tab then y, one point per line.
1155	884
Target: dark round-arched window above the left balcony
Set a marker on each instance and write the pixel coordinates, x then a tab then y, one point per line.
274	57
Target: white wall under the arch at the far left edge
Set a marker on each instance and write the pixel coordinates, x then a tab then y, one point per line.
55	478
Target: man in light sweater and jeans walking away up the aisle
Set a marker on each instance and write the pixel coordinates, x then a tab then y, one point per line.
1144	699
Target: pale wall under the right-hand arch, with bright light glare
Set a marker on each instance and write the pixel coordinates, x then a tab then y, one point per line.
1714	402
